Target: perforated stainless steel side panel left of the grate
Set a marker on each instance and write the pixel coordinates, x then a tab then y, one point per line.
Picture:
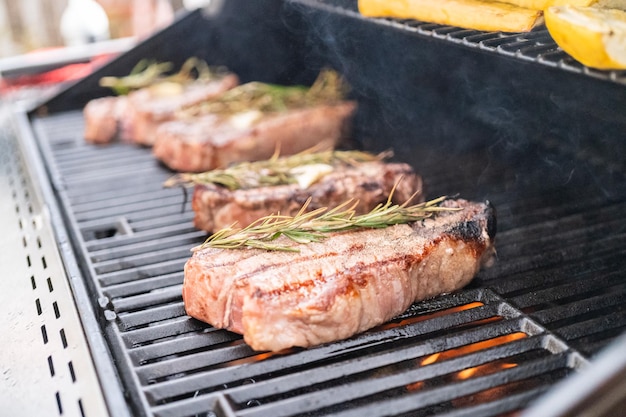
46	364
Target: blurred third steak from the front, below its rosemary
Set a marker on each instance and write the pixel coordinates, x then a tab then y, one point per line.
212	141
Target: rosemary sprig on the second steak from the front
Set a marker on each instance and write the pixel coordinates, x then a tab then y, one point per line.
274	171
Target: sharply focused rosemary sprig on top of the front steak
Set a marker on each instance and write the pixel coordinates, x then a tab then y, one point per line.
314	226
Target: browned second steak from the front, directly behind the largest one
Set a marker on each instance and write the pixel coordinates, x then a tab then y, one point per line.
217	207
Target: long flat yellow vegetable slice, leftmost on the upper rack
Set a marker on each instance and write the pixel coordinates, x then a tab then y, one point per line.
470	14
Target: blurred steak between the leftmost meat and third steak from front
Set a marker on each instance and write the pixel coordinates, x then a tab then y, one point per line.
151	106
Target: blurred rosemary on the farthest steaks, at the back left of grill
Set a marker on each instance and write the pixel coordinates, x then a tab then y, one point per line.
149	72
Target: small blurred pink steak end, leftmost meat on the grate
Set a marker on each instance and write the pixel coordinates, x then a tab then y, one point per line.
103	118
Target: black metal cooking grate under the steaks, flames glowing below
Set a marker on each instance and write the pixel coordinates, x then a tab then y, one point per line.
550	303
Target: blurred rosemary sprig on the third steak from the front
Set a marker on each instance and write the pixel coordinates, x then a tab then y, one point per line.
264	97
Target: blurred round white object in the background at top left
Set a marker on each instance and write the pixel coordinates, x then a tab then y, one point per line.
84	21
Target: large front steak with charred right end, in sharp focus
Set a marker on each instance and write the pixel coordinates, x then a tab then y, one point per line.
338	287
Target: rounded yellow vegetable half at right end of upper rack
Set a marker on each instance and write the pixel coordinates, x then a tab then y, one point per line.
593	36
